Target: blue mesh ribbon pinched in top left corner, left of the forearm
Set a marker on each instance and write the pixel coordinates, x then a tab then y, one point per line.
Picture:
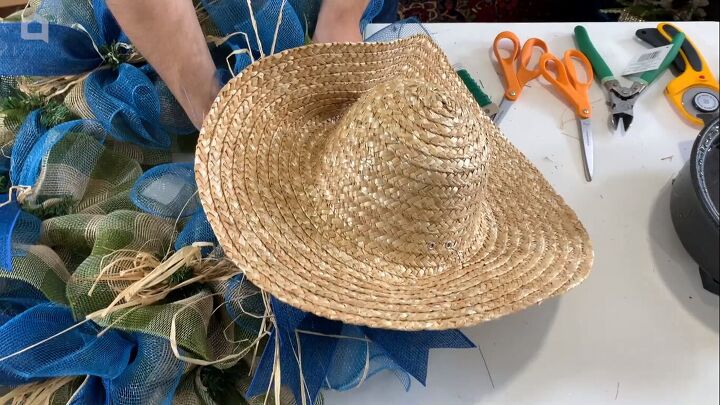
131	102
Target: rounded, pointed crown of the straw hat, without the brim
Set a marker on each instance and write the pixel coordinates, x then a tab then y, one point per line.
405	170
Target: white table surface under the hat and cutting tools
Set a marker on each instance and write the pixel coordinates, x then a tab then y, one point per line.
640	329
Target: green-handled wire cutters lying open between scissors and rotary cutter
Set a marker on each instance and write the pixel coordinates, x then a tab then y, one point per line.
620	98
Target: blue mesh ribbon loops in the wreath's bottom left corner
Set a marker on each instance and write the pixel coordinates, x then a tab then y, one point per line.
122	368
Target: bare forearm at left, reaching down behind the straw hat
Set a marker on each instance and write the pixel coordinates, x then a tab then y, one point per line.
168	34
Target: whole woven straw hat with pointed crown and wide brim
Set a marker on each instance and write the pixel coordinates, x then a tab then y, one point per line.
362	183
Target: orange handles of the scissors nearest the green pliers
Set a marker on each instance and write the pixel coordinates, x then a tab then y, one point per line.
564	76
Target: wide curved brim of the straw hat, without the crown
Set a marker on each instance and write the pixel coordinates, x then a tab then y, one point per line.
253	170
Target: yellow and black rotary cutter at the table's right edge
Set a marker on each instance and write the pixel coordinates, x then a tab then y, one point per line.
694	93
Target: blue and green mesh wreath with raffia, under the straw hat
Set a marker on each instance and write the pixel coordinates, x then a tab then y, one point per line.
113	288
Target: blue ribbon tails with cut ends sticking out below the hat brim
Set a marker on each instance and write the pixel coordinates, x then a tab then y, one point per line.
323	355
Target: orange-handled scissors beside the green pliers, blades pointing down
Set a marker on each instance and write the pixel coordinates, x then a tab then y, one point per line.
564	77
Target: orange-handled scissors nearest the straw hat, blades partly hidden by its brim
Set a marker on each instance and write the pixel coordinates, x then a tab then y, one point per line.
515	68
